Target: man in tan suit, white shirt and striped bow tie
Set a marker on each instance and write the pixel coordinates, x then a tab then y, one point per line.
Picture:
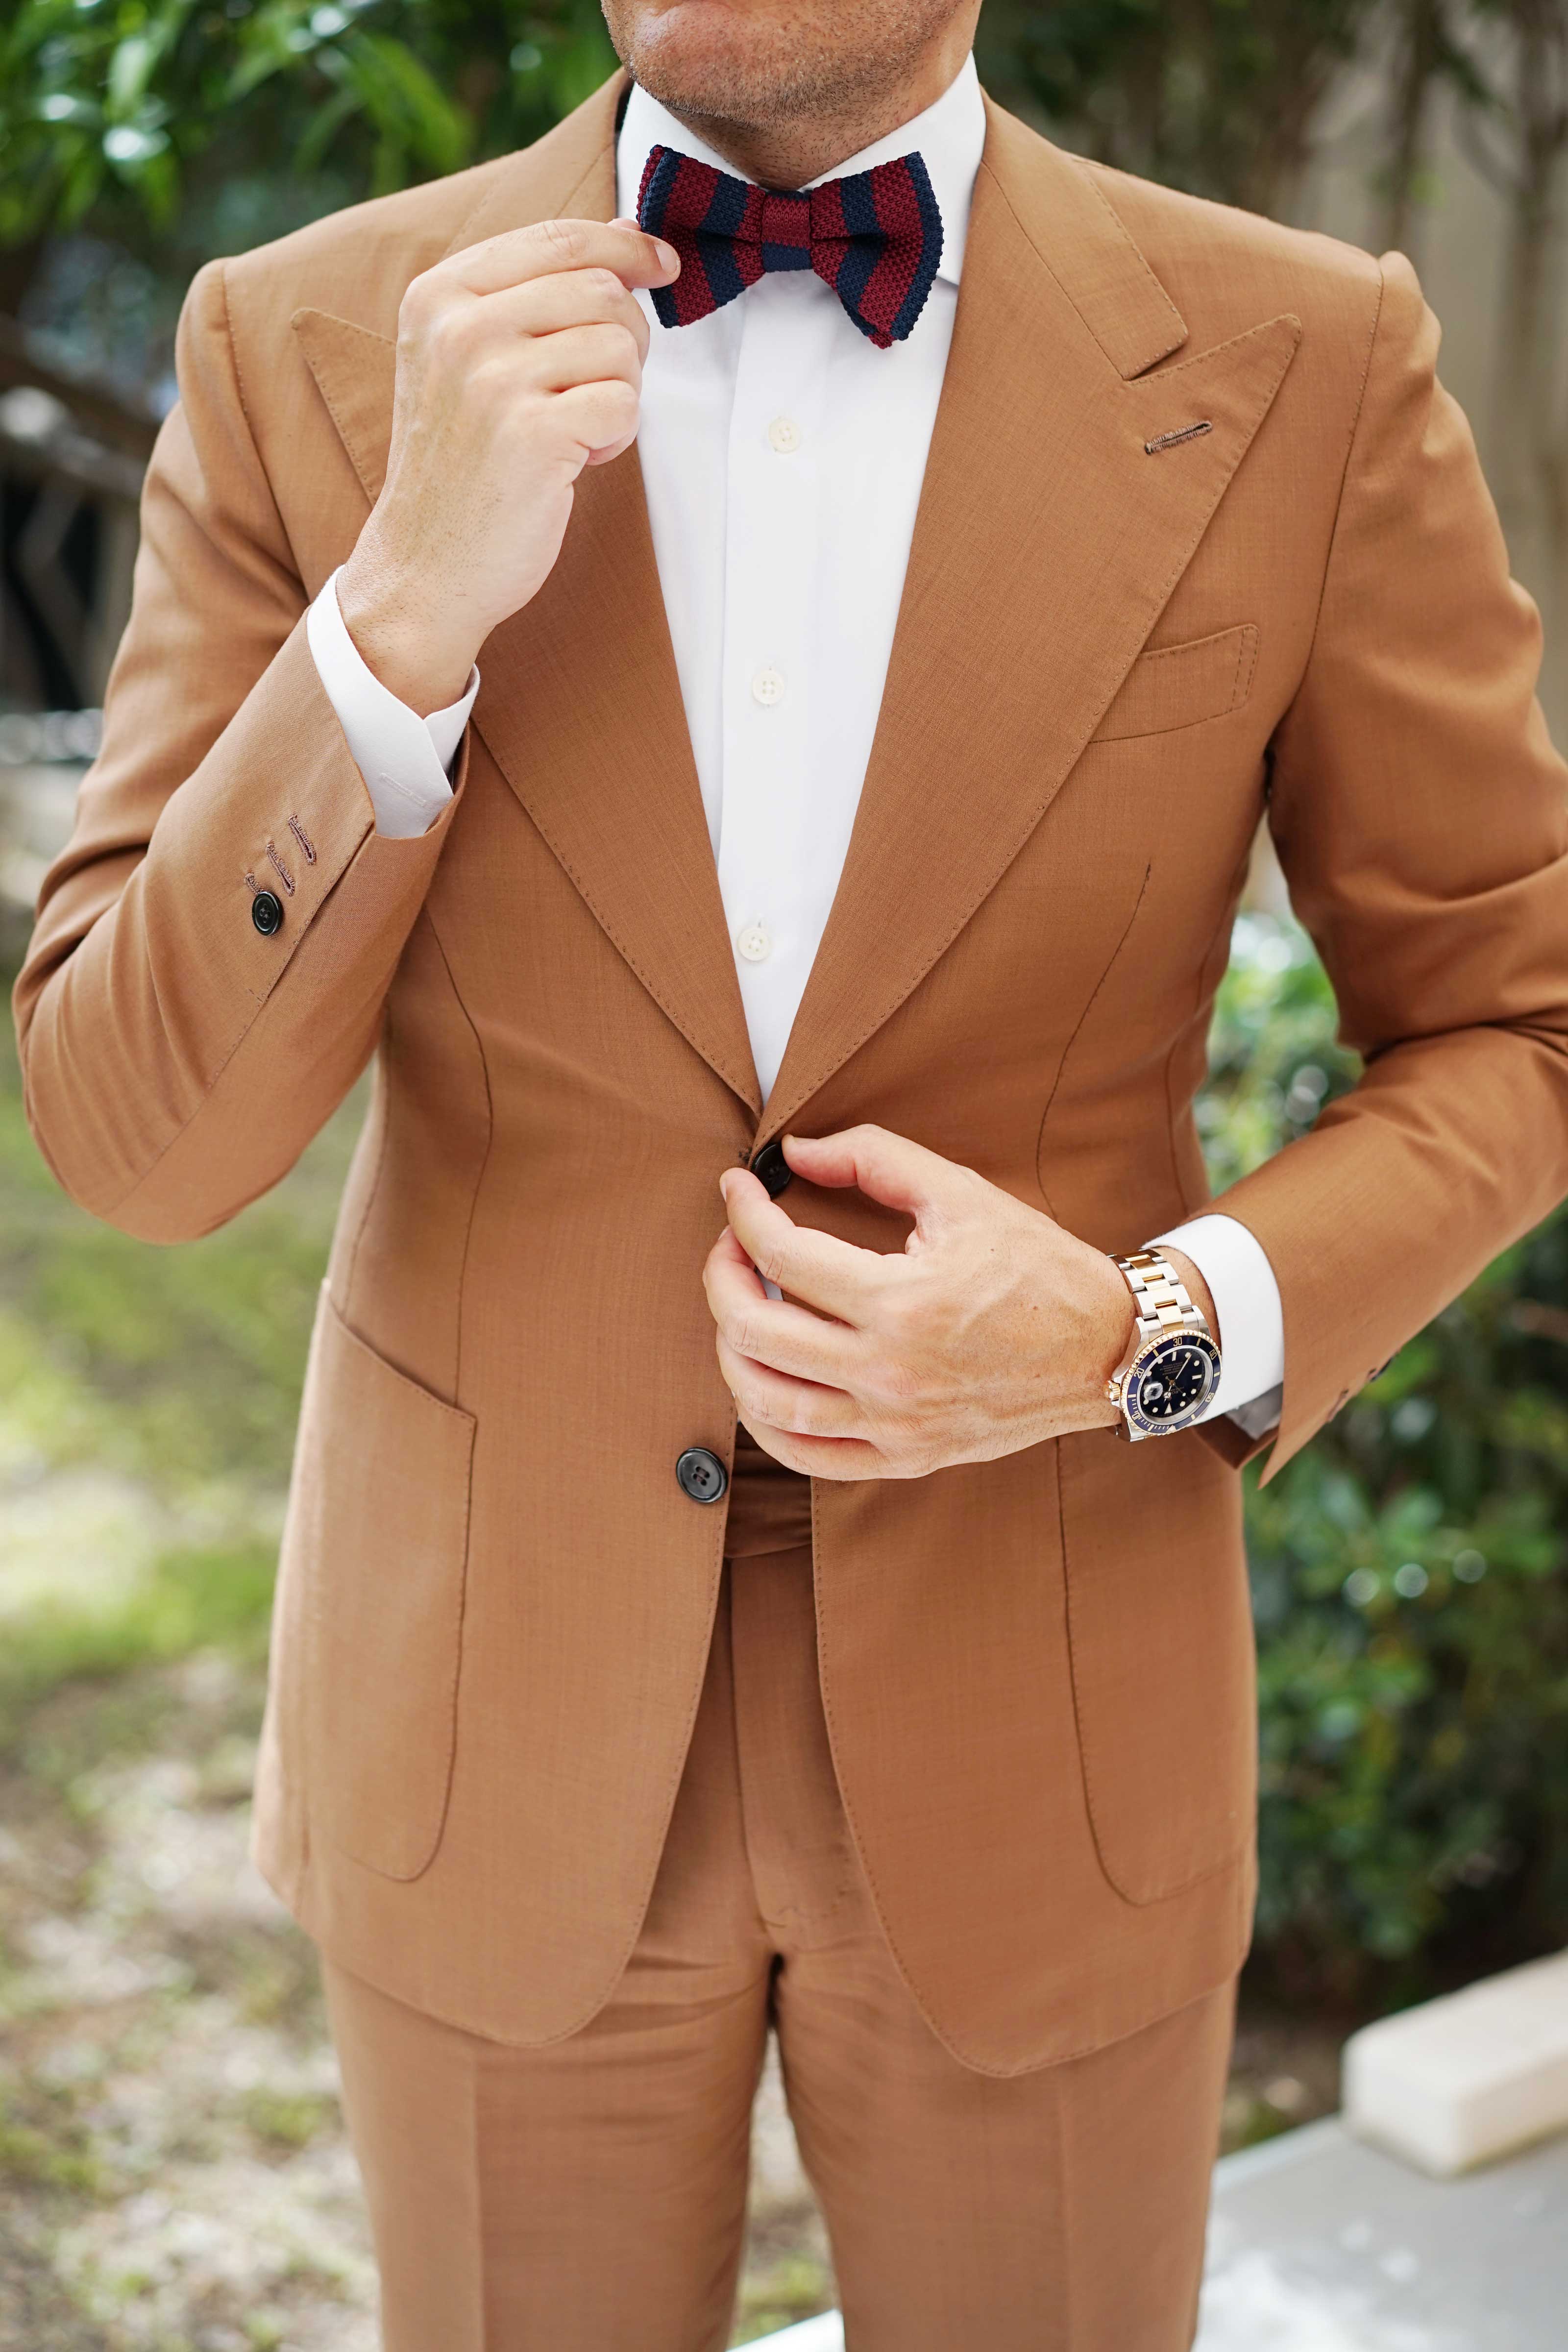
838	803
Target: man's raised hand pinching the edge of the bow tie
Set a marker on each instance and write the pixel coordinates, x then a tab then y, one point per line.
518	363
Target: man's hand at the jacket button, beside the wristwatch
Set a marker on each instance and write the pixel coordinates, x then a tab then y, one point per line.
993	1330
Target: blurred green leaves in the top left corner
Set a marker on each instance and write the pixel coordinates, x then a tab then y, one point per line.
142	116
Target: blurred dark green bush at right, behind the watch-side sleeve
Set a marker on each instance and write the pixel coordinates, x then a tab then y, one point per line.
1409	1584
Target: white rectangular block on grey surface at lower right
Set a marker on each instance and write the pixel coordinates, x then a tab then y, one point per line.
1470	2078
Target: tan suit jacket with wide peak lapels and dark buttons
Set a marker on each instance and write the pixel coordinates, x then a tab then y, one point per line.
1113	660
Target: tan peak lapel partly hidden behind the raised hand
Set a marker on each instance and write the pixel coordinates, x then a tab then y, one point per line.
579	697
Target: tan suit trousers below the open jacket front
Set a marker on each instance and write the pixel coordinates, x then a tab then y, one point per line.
591	2196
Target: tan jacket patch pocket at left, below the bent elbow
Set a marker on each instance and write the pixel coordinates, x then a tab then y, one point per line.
380	1528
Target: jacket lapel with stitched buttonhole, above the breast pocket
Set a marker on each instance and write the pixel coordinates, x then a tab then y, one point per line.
1045	549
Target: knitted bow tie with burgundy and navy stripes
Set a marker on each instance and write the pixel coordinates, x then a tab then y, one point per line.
876	239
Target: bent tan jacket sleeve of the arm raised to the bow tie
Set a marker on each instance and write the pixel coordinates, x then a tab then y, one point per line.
175	1057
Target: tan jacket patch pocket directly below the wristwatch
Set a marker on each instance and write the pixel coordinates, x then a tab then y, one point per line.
1160	1638
